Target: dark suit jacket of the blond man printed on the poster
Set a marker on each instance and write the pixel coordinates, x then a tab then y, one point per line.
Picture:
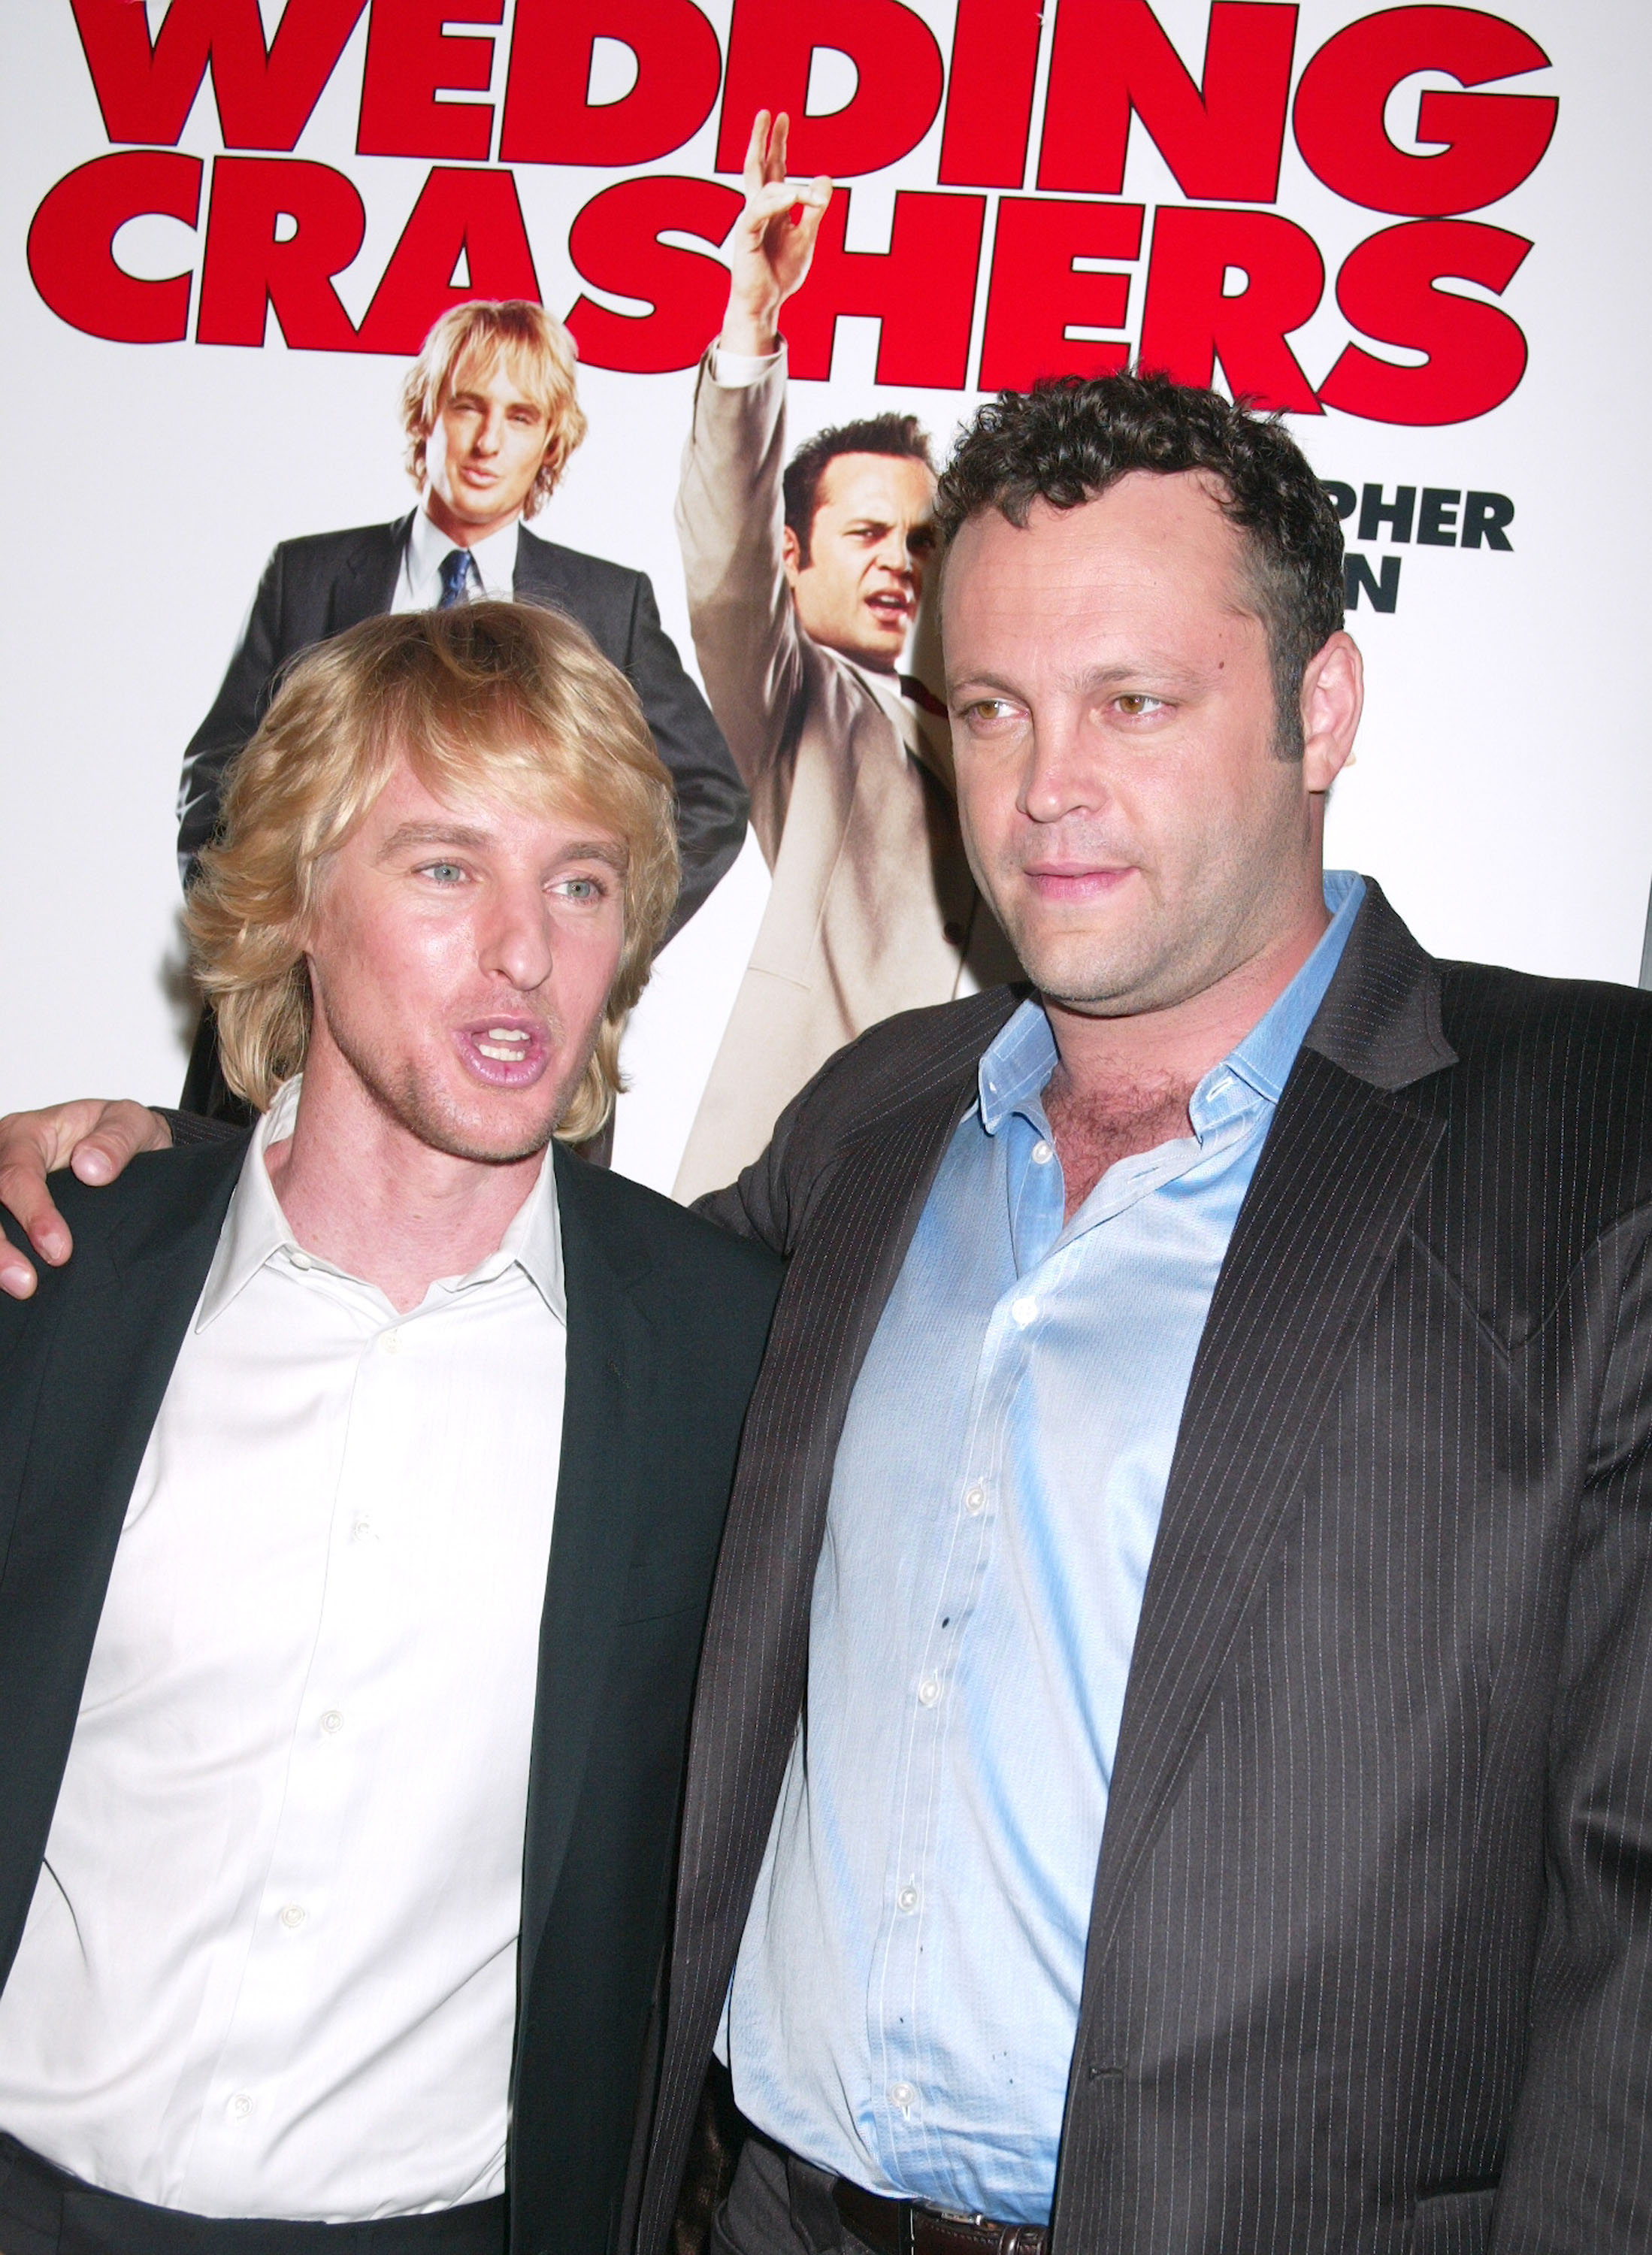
332	581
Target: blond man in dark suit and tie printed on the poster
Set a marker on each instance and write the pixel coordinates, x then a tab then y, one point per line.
492	416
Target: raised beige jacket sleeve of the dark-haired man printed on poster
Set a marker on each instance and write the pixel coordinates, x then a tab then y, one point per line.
729	522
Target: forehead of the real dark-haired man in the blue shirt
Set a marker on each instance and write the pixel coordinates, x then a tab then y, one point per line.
1153	554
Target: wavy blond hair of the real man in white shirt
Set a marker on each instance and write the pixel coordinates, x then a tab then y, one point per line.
486	698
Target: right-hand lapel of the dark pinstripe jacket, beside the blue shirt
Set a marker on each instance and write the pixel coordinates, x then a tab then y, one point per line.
1340	1174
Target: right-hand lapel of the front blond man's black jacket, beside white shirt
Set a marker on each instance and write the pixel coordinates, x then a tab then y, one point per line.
605	1460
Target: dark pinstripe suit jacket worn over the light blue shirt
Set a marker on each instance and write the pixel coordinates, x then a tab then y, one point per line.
1371	1945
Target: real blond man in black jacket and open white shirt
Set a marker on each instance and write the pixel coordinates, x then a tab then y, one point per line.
359	1492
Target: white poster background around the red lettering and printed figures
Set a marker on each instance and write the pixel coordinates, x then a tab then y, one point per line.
1502	793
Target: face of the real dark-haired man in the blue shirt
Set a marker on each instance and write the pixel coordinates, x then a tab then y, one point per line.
1114	734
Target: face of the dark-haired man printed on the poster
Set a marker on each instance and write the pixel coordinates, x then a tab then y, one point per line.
871	540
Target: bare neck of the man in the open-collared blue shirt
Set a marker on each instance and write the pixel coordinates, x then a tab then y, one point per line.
1123	1084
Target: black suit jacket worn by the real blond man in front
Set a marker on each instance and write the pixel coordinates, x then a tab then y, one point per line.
666	1325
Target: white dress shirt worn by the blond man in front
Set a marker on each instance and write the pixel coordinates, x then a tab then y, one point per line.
272	1958
